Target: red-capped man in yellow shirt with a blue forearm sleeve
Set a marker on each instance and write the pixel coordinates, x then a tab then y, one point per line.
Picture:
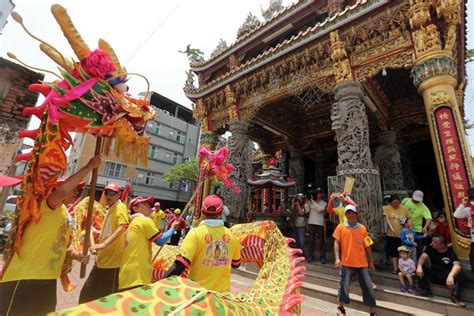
136	268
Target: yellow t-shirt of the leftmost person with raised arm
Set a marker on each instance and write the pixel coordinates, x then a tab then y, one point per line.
43	248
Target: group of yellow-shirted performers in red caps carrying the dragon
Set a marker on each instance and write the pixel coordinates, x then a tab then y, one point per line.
123	248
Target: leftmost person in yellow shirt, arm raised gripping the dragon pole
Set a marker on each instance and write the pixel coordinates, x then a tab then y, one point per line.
28	285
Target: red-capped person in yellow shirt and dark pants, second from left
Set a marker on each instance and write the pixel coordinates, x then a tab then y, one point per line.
103	278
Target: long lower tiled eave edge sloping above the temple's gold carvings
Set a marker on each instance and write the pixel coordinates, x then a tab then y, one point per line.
360	8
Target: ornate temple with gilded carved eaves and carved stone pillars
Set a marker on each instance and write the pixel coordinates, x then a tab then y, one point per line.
371	89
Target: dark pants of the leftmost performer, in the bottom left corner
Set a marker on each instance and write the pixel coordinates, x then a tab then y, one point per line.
27	297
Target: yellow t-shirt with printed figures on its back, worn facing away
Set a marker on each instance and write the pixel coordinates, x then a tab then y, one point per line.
210	248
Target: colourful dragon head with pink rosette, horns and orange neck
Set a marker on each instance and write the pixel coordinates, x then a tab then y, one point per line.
89	96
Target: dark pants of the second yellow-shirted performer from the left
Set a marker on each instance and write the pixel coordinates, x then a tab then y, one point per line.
100	283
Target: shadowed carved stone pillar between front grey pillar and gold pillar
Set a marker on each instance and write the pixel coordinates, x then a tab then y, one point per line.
387	157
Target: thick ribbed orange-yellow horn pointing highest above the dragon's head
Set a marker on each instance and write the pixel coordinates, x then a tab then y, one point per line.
78	45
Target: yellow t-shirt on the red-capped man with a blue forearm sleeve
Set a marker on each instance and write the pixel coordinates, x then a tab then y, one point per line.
136	259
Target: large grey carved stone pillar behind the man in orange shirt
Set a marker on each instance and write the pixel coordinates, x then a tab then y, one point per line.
350	123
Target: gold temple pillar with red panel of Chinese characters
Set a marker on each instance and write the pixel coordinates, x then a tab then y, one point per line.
435	76
